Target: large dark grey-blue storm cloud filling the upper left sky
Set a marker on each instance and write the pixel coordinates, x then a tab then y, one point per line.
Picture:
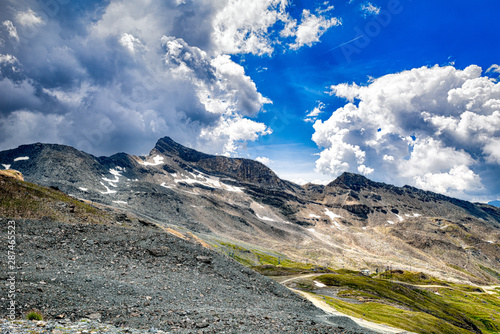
97	74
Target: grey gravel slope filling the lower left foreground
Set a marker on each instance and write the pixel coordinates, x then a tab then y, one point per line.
146	280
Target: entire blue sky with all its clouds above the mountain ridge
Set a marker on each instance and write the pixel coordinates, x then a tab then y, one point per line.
402	91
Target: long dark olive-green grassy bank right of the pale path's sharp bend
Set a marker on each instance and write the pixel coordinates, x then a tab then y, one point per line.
415	299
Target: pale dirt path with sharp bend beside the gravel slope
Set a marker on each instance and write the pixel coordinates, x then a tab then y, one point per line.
379	328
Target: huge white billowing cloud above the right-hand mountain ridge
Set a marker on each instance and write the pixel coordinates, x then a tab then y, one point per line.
434	128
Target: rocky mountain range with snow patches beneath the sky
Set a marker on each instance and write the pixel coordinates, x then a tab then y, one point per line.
241	205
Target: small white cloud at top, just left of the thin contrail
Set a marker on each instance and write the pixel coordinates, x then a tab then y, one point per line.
310	29
